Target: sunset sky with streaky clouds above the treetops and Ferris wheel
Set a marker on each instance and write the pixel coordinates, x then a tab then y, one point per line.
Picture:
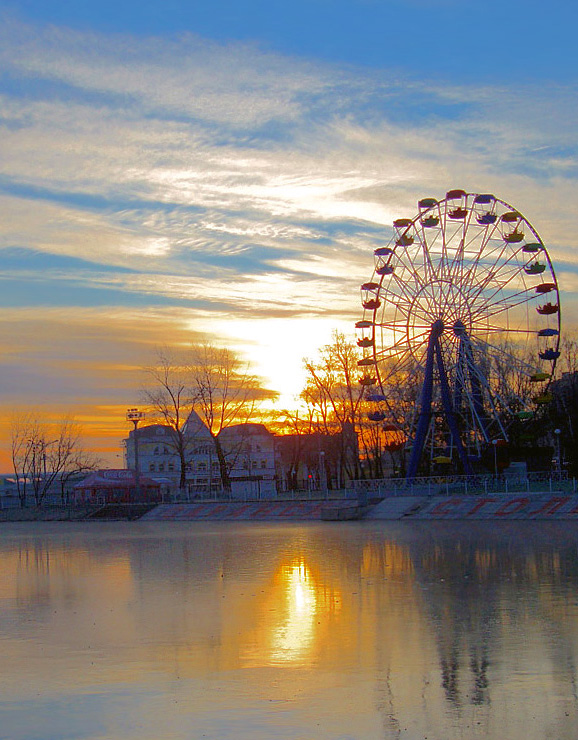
179	172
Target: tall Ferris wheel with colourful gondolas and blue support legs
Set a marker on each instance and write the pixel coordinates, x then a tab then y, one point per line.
461	320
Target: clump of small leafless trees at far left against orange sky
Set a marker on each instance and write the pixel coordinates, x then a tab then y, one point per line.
42	453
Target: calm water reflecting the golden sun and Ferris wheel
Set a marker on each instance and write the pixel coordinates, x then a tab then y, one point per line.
259	631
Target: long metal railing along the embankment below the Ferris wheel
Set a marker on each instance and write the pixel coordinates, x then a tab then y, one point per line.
452	485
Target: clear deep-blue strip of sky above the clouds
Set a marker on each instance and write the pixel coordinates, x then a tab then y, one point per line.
519	41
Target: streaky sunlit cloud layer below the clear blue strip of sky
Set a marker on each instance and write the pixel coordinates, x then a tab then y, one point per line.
211	183
